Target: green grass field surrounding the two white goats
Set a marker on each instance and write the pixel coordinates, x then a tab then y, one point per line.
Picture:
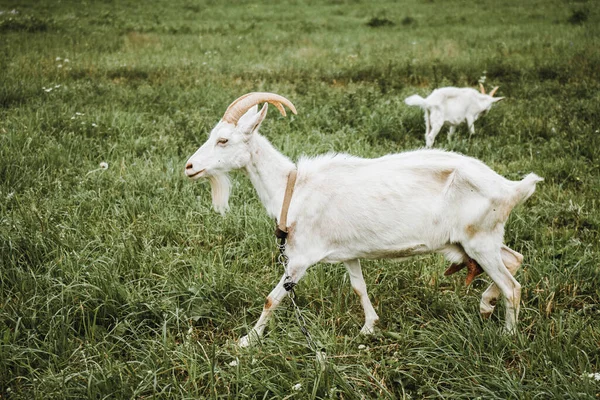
121	282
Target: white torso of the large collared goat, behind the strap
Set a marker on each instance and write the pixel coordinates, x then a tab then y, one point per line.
418	199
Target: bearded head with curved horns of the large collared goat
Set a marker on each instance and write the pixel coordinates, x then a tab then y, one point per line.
227	147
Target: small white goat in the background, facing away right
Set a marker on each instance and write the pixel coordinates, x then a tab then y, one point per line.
452	105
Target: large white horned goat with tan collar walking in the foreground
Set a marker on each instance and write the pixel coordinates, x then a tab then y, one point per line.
345	208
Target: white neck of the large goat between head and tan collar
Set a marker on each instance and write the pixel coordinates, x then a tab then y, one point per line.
268	170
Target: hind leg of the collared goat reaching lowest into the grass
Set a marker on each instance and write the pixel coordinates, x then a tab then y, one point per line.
489	256
